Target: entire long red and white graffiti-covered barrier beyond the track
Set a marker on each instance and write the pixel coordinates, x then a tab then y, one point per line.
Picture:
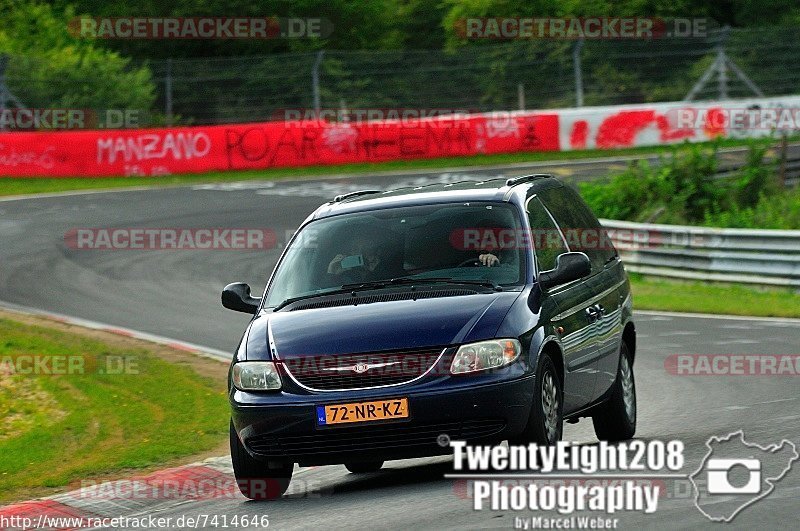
100	153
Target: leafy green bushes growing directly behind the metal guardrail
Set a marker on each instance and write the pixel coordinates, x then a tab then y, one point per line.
683	188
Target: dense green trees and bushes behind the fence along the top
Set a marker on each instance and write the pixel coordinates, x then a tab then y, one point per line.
54	68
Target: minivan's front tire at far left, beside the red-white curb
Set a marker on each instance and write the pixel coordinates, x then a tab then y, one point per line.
256	479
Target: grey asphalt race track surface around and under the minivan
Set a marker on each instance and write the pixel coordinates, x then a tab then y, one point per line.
176	294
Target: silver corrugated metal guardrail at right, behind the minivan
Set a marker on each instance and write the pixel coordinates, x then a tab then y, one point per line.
752	256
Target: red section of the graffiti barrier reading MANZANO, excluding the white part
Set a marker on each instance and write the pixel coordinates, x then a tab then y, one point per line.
268	145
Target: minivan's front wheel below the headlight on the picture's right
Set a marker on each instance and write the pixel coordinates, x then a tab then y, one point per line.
546	421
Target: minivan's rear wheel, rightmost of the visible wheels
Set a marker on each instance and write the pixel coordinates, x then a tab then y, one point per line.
615	419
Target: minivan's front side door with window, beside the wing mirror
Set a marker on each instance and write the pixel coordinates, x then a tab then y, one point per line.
571	320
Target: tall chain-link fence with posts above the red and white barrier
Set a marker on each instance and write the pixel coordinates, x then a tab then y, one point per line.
531	74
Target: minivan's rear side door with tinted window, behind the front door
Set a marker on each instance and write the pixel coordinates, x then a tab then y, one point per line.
584	233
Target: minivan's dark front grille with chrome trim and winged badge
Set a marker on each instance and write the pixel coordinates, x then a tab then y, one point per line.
358	371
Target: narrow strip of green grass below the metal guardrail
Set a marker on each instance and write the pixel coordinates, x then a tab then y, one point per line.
732	299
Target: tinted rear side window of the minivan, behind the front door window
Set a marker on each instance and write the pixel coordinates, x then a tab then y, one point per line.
580	227
